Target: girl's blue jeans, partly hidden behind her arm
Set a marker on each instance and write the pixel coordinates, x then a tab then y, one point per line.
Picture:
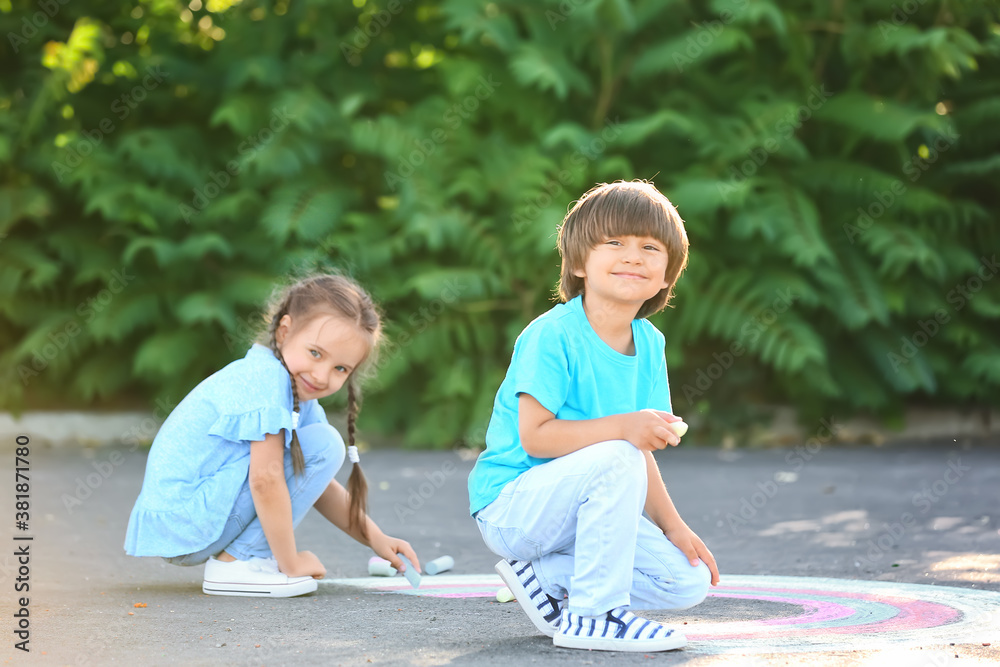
243	537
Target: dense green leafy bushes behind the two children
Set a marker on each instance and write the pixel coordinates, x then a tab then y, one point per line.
165	164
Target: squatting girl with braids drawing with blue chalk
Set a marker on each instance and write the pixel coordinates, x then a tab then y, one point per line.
239	462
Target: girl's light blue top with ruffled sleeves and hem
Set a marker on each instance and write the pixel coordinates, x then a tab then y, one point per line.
200	457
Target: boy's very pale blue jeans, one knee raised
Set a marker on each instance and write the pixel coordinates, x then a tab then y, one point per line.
578	519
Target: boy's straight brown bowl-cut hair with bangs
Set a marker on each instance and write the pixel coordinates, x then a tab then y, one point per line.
621	208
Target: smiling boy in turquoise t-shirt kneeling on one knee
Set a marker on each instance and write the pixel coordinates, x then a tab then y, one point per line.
567	472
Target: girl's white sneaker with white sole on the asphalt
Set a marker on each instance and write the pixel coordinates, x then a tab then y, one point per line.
257	577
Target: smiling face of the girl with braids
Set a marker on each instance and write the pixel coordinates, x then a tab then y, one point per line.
320	353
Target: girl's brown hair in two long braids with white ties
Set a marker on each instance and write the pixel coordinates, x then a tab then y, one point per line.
336	295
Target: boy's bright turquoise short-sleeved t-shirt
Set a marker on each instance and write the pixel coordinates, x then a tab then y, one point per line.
561	361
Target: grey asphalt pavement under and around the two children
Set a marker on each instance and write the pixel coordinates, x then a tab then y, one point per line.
921	513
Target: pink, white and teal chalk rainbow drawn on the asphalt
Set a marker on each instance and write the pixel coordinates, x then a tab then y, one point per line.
827	614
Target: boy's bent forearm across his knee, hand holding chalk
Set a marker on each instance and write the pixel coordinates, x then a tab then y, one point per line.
545	437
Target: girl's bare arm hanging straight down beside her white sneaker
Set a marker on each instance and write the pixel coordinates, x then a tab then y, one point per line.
274	507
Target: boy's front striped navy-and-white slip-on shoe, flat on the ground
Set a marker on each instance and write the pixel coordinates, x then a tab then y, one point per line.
617	630
